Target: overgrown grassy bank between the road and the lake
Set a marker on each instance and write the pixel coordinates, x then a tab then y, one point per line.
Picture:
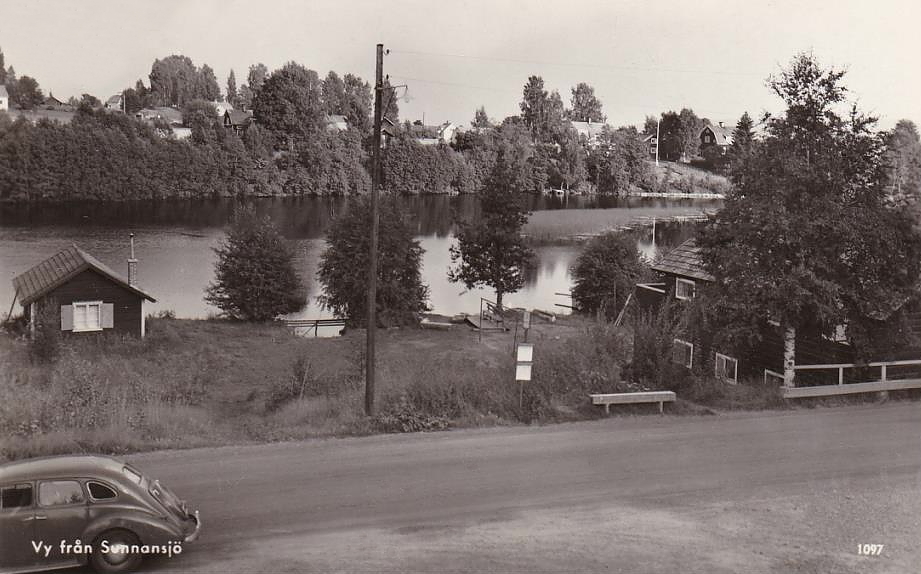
203	383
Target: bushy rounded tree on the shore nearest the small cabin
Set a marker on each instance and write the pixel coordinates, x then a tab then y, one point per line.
255	275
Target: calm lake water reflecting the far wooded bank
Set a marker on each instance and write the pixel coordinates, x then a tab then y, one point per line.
174	243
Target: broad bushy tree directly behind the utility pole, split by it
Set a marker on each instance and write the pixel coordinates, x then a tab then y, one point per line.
343	272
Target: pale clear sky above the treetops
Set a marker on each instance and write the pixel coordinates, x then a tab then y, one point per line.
642	57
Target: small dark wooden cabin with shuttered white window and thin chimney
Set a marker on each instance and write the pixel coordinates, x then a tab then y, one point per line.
82	295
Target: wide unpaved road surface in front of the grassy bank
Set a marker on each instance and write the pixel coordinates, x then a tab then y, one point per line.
793	491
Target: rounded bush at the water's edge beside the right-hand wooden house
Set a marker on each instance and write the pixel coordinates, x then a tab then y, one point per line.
605	274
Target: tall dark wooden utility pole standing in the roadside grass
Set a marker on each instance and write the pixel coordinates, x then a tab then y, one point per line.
372	264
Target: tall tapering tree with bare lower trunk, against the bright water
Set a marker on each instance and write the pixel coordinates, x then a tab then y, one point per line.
491	251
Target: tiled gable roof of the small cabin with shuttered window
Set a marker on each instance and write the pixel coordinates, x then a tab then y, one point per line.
61	268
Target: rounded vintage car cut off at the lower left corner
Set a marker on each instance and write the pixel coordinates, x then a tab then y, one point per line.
64	511
